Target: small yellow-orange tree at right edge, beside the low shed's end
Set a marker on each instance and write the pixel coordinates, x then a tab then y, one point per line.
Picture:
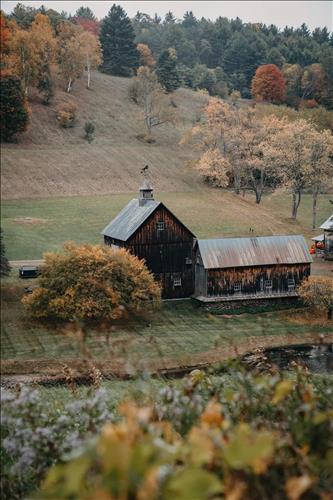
318	291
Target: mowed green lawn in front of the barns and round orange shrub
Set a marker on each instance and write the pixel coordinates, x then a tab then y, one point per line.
176	331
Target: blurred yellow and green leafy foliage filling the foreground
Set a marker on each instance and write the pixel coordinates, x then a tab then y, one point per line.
260	435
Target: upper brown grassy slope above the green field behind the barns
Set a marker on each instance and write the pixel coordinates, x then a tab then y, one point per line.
51	161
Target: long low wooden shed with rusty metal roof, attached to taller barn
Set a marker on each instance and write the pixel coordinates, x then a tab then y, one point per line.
245	268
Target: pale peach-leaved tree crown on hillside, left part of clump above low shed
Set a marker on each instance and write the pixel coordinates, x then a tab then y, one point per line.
235	143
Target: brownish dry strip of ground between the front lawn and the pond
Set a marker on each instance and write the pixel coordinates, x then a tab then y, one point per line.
50	371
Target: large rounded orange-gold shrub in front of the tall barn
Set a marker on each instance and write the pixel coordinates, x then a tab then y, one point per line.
92	283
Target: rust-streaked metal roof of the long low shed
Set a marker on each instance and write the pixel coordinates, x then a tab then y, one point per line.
261	251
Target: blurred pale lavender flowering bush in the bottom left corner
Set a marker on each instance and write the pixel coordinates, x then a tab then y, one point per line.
33	438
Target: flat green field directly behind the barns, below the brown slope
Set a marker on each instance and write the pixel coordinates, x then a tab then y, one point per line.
34	226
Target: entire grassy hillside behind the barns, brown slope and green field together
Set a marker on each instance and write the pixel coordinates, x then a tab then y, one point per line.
56	186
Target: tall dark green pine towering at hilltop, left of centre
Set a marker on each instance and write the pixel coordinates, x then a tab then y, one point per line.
117	39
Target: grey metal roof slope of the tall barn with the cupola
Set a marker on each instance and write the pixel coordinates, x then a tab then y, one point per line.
129	219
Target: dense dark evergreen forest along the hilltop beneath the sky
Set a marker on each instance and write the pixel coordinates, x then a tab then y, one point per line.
221	55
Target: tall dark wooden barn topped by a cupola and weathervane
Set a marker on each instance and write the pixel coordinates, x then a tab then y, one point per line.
149	230
